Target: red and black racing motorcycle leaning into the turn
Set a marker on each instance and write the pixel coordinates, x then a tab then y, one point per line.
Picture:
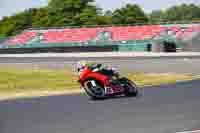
104	83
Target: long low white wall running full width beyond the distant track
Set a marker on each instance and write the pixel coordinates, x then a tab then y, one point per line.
107	54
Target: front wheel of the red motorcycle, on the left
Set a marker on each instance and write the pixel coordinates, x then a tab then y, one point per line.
94	89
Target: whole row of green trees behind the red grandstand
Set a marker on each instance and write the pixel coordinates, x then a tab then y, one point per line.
60	13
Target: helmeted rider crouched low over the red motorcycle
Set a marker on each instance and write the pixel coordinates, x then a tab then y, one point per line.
96	67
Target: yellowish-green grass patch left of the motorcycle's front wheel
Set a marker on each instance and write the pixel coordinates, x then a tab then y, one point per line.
36	79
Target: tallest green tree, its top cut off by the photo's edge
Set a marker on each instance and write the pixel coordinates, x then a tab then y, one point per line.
69	12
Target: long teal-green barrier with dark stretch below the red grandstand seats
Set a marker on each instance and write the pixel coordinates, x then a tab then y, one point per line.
91	46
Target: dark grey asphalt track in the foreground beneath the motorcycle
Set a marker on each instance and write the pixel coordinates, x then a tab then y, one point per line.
165	109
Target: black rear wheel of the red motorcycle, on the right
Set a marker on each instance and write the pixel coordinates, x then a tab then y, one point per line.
130	88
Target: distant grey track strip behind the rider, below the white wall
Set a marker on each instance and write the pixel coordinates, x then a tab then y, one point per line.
178	65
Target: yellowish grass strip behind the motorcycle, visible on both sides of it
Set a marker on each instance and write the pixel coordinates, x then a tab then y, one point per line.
23	82
